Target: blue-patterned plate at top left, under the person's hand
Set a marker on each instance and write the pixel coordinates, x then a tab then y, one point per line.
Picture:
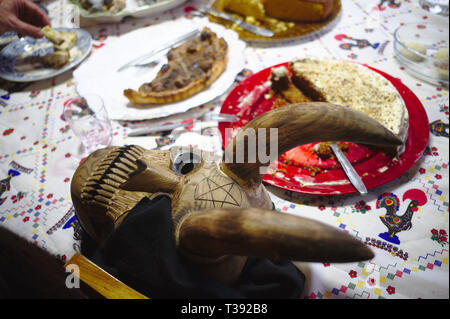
14	68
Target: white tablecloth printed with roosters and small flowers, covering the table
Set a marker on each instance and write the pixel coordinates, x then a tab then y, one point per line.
39	151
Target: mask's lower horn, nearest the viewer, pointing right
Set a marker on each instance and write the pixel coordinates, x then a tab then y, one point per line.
263	233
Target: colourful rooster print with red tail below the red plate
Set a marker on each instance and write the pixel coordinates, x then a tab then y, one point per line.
394	222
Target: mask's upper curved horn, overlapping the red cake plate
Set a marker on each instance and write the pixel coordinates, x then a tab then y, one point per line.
299	124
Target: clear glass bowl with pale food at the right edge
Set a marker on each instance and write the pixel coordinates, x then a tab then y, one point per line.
423	50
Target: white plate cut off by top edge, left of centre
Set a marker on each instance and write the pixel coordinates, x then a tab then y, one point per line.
133	8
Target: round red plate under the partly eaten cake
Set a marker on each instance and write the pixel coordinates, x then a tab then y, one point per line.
377	169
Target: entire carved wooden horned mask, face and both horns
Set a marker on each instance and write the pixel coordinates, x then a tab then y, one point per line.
221	208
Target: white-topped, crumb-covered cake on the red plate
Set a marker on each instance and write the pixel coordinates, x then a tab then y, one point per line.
355	86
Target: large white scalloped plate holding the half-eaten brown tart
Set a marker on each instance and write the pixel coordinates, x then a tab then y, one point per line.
99	75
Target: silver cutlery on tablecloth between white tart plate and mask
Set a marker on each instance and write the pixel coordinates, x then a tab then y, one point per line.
170	126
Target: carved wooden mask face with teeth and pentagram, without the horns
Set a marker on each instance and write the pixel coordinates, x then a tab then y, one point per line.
111	181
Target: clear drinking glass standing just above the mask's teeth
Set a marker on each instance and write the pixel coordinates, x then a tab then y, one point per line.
88	119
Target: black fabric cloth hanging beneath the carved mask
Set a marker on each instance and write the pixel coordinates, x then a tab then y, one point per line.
142	253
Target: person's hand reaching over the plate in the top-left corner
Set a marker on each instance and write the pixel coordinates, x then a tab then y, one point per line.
22	16
